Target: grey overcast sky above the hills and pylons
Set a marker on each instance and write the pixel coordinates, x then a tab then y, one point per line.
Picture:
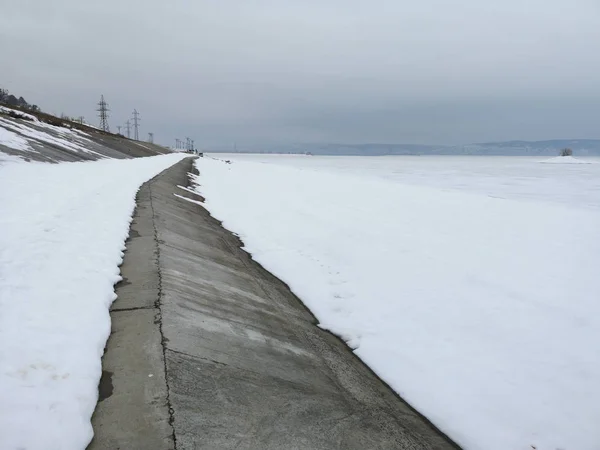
351	71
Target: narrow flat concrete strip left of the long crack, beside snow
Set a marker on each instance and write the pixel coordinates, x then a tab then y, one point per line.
133	411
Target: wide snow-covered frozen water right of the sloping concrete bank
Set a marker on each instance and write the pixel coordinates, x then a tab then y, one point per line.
468	284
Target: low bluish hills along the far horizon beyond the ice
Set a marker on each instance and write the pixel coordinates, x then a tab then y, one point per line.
580	147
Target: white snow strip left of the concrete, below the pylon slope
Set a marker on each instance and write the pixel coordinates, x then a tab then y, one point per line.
62	233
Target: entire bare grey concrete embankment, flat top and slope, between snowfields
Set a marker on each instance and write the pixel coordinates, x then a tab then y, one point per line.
210	351
